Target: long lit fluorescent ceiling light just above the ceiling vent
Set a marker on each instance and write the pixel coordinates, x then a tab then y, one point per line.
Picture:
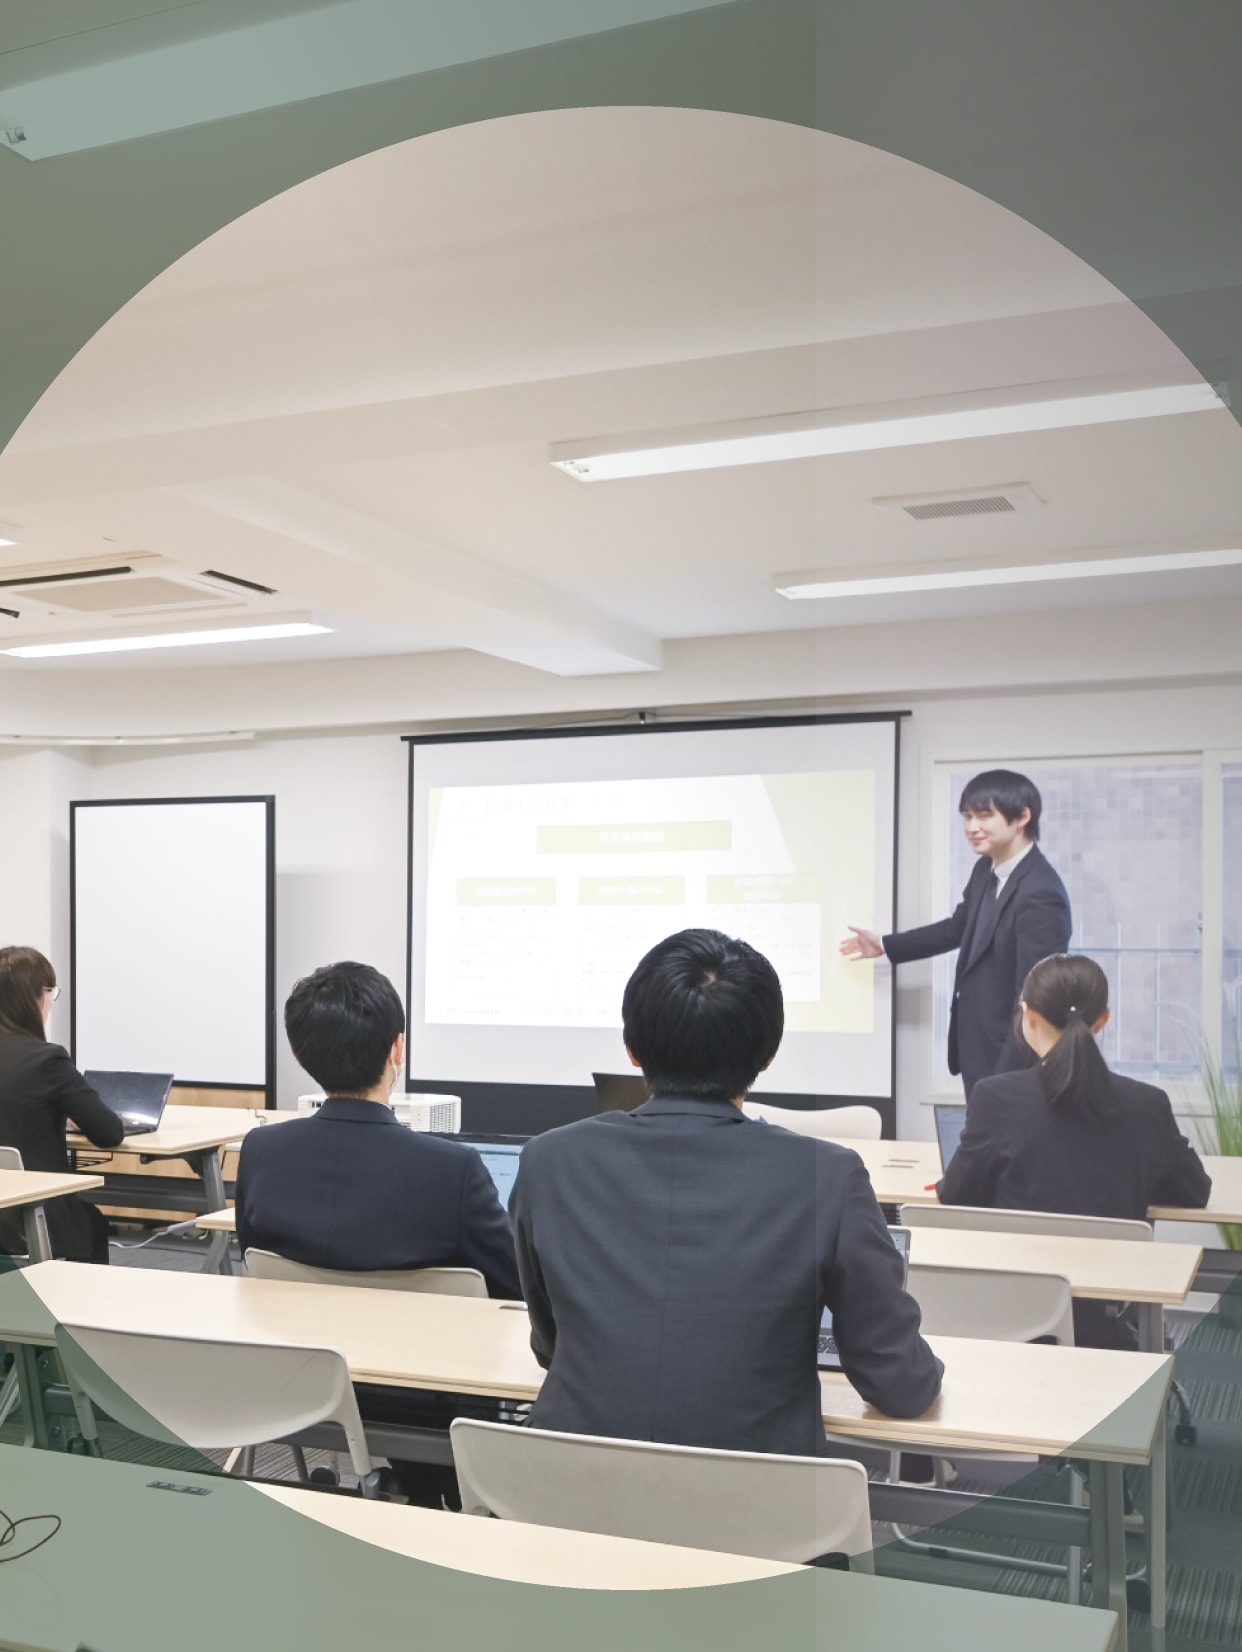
861	430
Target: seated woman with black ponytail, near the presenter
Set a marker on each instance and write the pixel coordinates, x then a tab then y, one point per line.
1069	1136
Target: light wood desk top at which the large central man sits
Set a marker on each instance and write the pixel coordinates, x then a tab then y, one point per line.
998	1397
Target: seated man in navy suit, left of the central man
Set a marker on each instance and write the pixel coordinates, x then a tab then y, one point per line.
353	1189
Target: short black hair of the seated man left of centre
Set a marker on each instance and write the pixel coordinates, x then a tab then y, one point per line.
343	1023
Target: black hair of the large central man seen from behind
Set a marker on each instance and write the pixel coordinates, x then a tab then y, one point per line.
704	1017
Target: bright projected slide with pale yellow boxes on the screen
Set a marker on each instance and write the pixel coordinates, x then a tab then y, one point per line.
541	900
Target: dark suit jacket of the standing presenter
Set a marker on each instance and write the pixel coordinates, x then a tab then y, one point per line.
998	939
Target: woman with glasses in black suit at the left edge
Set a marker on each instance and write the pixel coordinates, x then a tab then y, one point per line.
40	1093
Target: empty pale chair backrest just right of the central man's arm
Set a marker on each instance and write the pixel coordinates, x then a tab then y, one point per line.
993	1304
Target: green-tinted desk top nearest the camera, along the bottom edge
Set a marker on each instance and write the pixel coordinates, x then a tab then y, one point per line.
315	1572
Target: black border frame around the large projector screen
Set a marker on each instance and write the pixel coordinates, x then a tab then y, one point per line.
496	1106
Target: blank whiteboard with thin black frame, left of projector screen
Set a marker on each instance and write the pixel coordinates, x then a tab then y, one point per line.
173	938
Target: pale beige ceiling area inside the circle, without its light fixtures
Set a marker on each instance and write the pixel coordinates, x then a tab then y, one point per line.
349	394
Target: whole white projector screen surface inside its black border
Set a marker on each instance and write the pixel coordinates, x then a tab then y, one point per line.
544	868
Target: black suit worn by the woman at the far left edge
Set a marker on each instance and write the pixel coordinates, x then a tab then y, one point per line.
40	1089
